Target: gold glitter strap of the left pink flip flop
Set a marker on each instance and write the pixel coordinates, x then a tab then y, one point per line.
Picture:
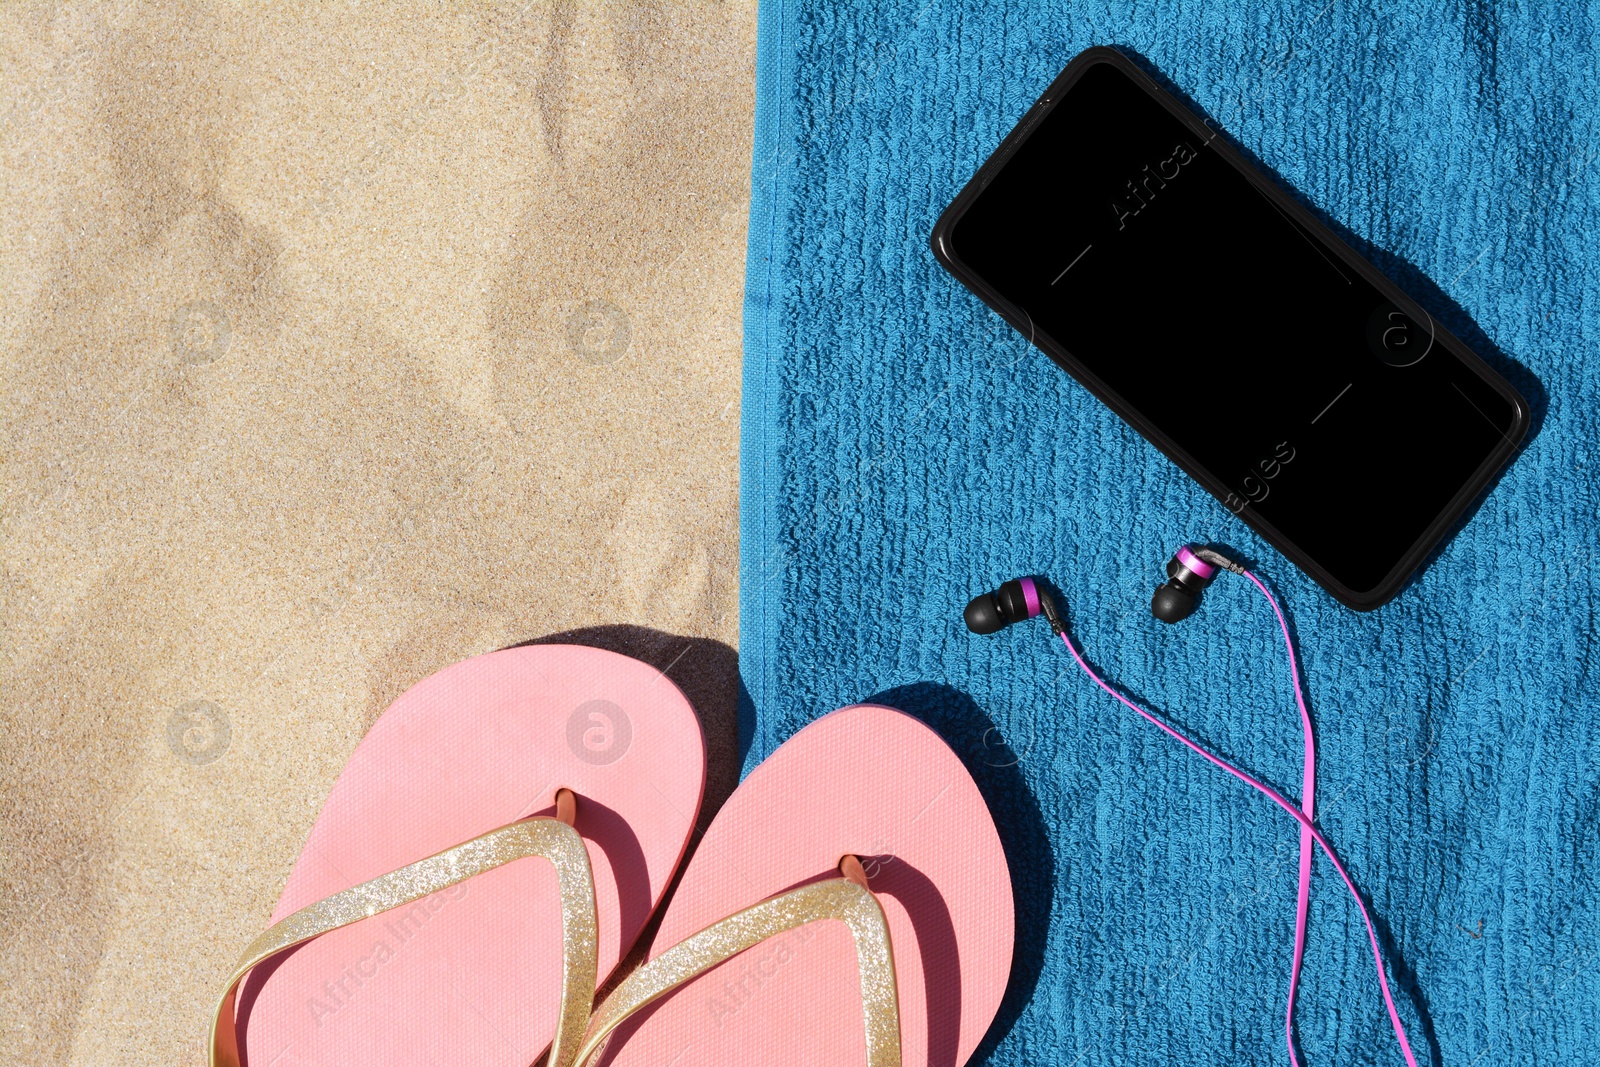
550	839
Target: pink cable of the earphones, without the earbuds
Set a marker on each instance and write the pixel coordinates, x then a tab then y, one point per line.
1305	817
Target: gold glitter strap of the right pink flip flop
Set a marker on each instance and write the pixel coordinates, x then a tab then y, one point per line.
836	898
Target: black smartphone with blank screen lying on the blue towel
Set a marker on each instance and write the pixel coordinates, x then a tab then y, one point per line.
1231	329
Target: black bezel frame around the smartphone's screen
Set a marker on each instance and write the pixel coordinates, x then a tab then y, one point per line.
1361	601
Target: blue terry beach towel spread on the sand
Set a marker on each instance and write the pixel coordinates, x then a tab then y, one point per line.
905	450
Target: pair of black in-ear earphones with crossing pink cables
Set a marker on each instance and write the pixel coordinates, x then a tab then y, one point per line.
1190	572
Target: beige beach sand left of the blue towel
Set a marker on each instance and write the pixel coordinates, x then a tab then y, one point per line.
338	346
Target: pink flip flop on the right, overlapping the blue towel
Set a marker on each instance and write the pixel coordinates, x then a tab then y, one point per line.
865	817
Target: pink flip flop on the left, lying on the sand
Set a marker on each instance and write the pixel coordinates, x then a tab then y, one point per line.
409	933
